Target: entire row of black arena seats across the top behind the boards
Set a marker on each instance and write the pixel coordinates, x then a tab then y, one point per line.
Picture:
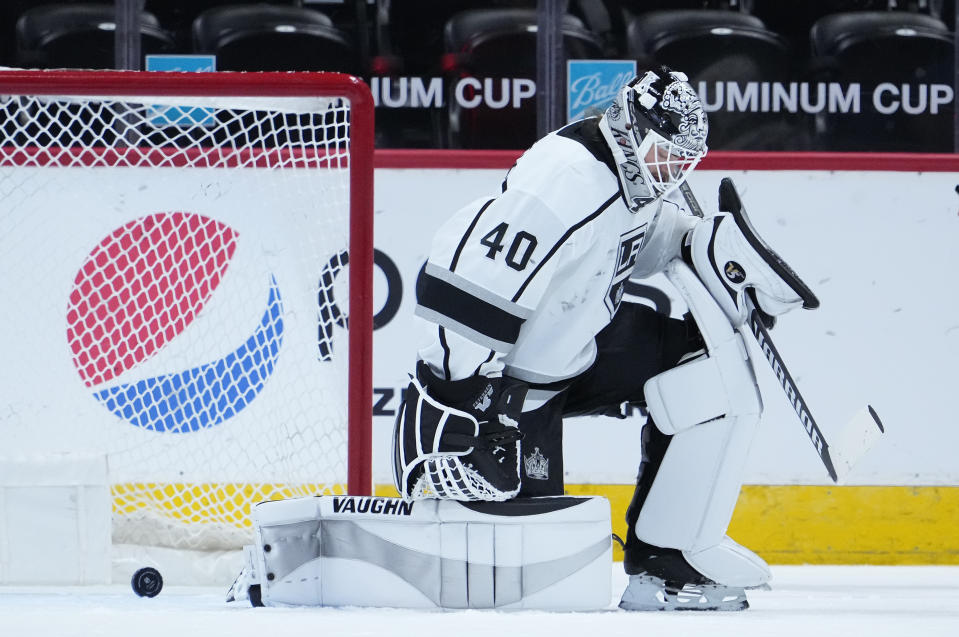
836	41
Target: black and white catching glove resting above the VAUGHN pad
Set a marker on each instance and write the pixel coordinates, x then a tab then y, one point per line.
458	440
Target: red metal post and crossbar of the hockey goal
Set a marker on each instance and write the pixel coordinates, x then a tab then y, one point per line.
232	84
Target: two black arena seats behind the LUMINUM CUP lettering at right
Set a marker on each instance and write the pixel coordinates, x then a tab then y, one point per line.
866	48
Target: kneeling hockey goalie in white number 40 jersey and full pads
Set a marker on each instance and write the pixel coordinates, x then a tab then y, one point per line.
524	322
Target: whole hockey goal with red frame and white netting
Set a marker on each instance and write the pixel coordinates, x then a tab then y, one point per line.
173	249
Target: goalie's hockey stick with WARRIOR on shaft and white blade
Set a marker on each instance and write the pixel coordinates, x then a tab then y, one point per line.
858	435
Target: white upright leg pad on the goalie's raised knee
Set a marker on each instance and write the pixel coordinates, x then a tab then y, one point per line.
712	407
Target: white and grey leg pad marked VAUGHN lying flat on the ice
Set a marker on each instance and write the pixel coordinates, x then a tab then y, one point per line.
534	553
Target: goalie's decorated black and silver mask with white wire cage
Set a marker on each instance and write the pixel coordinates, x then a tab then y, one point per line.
656	128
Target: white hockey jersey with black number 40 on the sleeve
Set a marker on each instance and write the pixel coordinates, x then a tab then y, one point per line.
520	283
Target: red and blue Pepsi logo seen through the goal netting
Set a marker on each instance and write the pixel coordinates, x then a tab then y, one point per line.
141	288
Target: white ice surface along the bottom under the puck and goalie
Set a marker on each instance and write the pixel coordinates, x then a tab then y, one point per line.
805	601
